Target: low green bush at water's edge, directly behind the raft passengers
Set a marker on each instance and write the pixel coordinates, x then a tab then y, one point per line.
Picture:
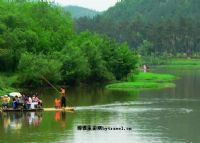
34	70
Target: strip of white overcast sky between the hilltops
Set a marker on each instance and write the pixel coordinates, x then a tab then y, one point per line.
99	5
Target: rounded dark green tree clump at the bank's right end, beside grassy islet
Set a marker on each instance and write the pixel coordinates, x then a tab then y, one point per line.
97	58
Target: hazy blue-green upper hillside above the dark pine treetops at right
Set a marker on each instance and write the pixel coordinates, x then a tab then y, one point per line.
153	10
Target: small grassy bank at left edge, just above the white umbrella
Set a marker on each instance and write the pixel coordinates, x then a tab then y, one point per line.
6	82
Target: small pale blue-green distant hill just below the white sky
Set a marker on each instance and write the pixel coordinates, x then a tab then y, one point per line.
78	12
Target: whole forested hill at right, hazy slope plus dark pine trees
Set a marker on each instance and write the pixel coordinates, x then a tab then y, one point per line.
153	27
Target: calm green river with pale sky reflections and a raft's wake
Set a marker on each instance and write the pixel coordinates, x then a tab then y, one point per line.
156	116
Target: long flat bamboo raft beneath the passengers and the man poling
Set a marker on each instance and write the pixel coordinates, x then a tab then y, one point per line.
67	109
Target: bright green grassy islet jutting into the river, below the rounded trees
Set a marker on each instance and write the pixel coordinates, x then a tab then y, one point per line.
145	81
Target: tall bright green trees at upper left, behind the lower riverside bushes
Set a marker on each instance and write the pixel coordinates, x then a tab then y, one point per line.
36	27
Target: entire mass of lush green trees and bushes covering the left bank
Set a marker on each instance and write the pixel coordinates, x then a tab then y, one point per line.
37	41
